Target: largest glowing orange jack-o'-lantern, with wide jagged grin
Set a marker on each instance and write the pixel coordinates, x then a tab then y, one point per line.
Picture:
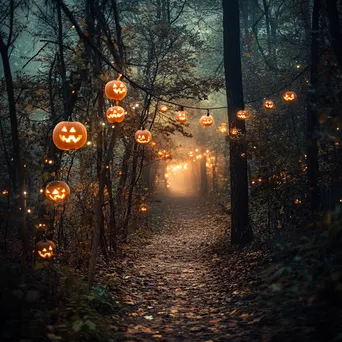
69	135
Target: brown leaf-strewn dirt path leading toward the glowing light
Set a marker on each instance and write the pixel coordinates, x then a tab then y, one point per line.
171	291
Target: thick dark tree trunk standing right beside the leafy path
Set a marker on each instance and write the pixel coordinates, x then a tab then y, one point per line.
241	231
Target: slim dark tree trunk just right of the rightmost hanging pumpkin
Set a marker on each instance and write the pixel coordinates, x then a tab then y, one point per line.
312	120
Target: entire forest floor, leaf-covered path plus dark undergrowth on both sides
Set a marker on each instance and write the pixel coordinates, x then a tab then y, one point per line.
180	280
